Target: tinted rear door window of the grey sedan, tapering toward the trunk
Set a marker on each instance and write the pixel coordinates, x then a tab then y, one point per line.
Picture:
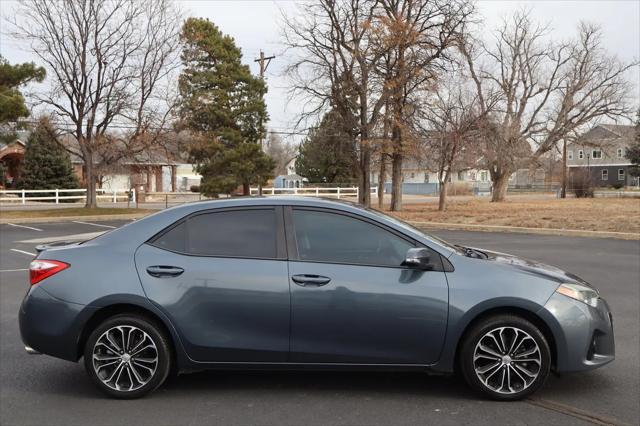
236	233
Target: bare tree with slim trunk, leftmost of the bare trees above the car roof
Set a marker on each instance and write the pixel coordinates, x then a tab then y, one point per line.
334	59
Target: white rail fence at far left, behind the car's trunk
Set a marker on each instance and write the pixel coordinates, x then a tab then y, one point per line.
57	195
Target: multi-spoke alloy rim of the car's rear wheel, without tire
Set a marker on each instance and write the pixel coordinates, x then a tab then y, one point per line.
125	358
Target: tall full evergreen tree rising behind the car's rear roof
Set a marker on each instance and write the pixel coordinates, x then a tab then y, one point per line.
222	102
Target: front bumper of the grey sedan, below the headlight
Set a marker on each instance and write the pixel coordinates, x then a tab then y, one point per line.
583	334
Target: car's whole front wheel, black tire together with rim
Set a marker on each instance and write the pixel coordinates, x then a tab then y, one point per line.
495	387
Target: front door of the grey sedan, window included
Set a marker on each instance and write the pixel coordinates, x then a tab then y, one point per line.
351	300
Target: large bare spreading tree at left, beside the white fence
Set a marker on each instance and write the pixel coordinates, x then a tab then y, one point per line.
108	59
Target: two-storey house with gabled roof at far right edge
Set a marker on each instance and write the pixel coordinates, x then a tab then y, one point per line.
601	152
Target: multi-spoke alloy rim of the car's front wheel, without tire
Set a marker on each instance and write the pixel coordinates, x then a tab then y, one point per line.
507	360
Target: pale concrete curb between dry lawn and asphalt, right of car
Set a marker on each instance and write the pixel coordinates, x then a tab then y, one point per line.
525	230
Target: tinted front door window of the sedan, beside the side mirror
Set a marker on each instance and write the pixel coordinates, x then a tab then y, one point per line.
329	237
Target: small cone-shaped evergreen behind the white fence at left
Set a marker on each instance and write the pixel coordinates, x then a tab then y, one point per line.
46	163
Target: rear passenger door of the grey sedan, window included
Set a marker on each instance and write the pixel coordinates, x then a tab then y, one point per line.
221	277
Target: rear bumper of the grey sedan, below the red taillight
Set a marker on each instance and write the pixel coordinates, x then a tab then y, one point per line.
51	326
